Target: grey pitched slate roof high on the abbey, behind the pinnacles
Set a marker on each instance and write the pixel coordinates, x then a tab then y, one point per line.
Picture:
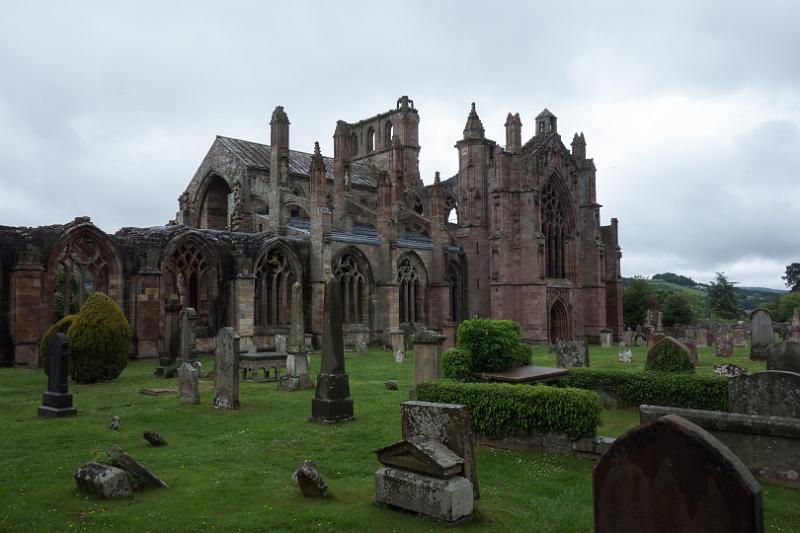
257	156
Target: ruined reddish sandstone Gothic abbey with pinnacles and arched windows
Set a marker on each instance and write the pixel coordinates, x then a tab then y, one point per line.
514	234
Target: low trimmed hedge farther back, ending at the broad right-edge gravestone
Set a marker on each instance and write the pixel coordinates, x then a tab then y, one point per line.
650	387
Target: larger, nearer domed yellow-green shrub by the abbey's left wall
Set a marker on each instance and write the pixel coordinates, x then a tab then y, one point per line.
99	340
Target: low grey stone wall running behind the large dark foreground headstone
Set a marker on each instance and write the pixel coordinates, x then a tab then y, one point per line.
768	445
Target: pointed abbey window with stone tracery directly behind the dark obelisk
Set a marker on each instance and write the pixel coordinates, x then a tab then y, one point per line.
274	280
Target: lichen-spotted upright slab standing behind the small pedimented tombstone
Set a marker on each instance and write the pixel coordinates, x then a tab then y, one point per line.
445	423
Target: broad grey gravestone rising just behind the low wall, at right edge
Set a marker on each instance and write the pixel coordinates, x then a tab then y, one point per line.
770	393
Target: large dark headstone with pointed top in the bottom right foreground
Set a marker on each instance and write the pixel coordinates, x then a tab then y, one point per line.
671	475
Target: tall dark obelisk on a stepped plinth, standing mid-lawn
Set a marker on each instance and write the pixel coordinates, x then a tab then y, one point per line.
332	402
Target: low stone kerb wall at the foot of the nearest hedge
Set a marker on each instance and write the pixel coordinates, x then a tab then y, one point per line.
543	441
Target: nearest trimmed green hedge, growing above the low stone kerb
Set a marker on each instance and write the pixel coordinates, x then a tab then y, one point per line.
505	410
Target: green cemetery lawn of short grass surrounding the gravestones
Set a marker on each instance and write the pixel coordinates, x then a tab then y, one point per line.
231	471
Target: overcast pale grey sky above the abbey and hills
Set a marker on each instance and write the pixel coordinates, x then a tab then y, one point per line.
691	112
